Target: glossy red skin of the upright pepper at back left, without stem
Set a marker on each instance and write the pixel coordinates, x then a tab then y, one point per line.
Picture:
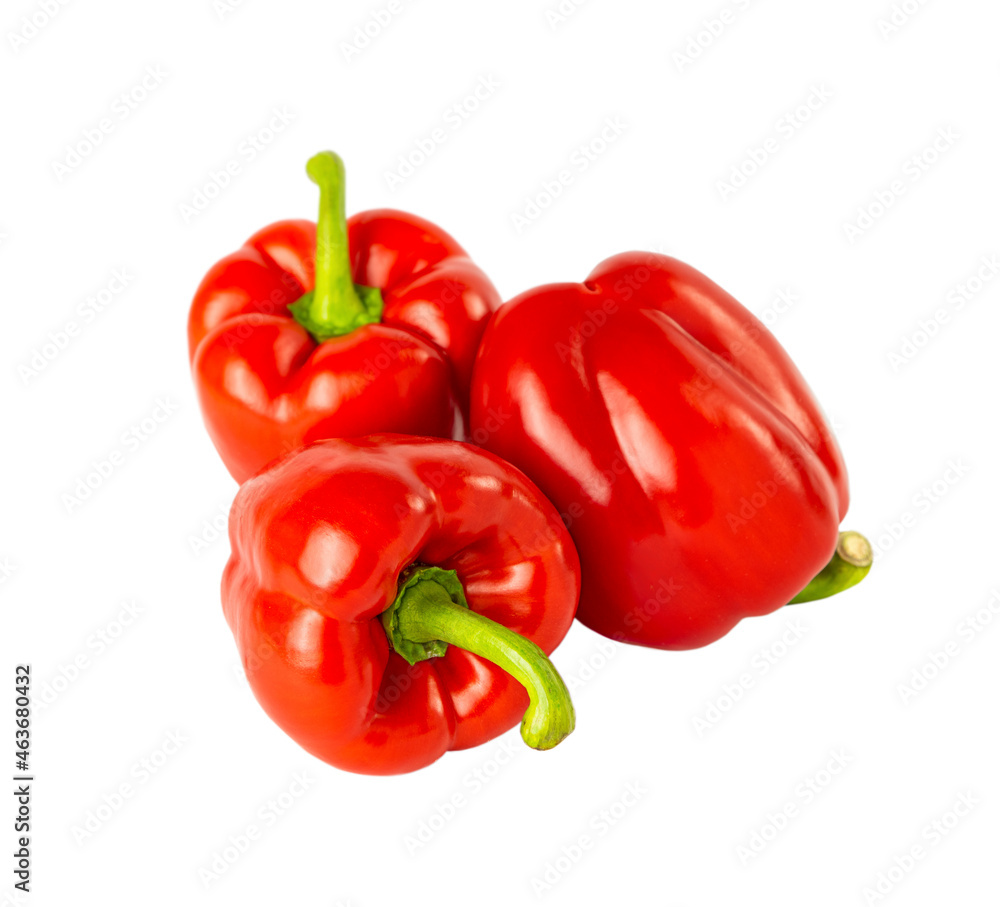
265	385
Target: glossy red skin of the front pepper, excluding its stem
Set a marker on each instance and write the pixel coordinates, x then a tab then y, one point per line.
318	543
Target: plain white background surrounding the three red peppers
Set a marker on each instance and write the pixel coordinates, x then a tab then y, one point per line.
686	126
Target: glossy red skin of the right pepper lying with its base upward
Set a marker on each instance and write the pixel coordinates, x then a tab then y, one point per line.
648	404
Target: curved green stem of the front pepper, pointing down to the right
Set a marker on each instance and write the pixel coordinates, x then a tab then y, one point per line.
430	612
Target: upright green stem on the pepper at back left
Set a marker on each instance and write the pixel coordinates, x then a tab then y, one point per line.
336	306
